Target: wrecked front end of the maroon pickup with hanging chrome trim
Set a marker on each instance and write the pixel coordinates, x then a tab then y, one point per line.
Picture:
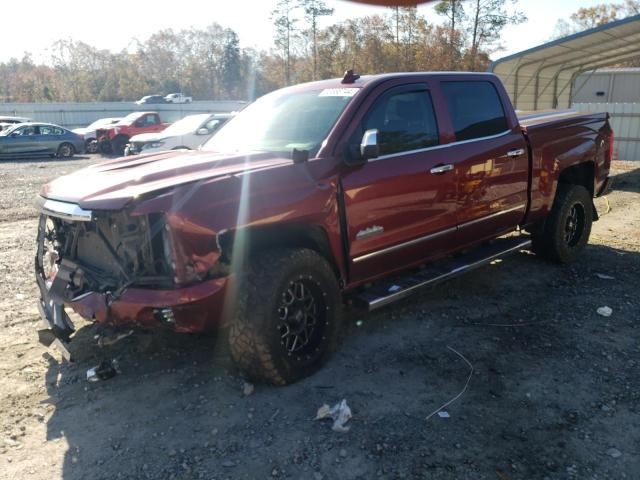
83	253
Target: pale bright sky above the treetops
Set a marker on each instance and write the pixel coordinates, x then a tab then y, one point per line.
116	22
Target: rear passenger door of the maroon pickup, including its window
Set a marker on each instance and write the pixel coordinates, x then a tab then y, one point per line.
491	160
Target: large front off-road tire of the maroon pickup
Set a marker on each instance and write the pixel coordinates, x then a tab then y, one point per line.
255	334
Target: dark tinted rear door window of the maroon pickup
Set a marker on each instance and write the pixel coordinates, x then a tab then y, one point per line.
475	109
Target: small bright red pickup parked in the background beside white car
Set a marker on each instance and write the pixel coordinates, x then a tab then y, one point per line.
114	138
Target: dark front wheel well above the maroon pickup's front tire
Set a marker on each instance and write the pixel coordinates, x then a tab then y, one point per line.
258	239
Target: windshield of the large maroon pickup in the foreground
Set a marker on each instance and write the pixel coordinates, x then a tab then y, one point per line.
282	121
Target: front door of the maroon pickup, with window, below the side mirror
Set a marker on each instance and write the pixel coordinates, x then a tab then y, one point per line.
398	212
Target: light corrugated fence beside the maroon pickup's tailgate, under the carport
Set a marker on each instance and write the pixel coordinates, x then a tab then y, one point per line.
625	121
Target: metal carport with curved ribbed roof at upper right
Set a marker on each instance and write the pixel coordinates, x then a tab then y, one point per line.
543	77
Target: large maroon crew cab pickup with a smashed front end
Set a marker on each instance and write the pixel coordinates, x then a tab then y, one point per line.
350	191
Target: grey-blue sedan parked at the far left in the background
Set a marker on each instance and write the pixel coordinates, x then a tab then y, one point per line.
38	139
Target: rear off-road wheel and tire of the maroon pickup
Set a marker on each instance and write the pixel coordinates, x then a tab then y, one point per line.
572	211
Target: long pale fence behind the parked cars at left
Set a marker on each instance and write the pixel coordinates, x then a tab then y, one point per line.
72	115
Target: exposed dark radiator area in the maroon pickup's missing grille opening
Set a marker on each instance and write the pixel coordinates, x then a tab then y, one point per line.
107	254
